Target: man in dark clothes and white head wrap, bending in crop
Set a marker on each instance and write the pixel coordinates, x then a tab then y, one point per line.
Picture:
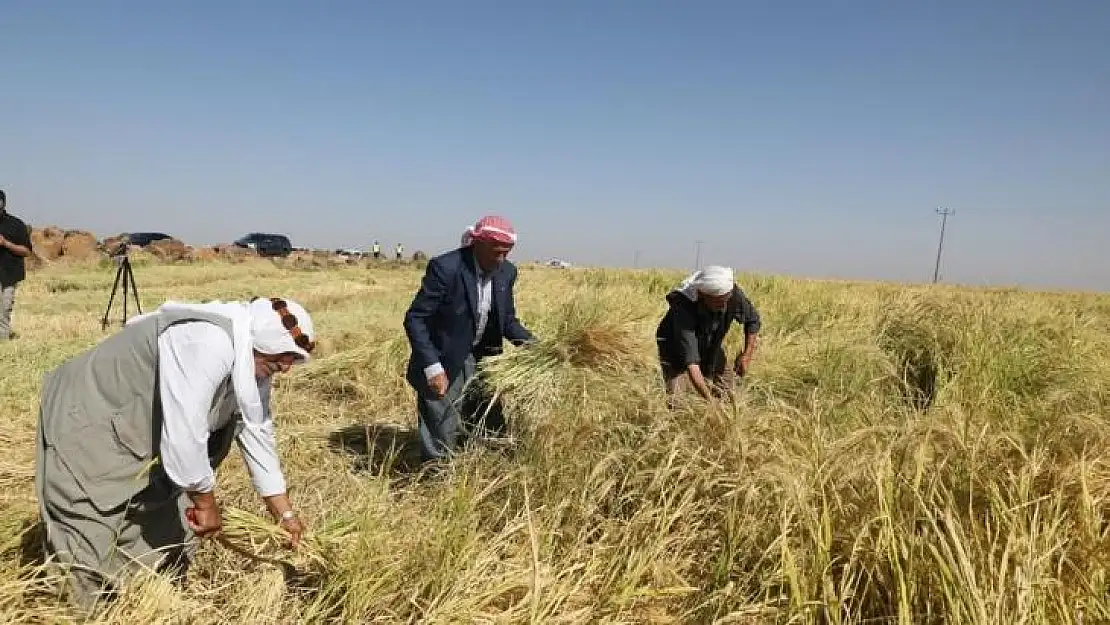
692	335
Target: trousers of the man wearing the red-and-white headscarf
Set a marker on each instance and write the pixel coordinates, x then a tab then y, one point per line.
466	411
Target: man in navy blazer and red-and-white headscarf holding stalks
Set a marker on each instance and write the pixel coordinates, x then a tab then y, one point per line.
463	311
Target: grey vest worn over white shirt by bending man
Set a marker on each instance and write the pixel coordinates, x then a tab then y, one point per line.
103	414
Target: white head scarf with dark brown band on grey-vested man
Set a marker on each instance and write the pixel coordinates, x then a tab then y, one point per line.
256	326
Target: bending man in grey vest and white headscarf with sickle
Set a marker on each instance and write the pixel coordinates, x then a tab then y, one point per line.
132	431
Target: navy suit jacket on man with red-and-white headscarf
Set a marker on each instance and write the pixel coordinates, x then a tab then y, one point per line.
442	320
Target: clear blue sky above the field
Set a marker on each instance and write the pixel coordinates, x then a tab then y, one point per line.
804	138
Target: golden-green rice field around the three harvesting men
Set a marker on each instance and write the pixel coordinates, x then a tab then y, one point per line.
899	455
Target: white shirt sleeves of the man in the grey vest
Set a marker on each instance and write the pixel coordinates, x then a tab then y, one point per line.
195	359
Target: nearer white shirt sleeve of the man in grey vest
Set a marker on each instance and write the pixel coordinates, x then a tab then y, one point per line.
194	361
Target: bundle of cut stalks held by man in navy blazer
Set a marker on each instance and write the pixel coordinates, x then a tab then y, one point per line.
593	338
